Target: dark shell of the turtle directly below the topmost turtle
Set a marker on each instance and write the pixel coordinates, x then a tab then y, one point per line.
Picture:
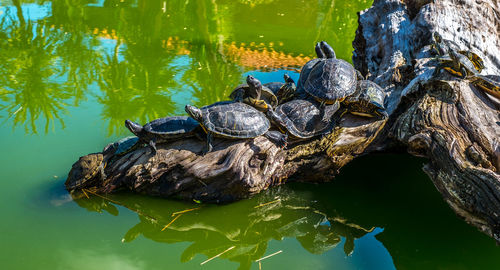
302	118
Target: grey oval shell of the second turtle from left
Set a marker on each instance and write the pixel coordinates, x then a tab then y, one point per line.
234	120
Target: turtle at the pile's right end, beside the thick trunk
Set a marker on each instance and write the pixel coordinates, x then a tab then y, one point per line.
367	101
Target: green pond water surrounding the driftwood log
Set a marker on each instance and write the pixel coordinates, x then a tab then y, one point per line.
72	71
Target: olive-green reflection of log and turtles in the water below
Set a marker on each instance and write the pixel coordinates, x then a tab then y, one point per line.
275	215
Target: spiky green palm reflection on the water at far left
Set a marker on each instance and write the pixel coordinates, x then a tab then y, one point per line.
28	88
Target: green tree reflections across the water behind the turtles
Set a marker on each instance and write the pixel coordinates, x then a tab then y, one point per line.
147	59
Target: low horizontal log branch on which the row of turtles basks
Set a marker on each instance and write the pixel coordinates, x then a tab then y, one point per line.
235	169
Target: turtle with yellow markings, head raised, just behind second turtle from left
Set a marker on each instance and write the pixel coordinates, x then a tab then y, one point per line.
254	94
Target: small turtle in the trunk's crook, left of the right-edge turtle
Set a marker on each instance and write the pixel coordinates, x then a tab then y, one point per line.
457	64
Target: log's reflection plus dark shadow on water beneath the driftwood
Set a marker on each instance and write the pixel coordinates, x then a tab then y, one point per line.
379	191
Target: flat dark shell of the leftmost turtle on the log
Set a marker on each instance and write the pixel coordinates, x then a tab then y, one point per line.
171	127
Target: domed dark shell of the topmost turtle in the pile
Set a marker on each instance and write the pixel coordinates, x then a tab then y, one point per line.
331	80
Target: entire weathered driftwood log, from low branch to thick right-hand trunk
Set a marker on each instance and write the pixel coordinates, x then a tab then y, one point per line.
435	115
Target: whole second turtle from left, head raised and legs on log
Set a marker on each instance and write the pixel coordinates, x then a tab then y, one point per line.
234	120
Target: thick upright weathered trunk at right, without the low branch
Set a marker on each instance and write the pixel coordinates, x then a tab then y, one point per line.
440	117
